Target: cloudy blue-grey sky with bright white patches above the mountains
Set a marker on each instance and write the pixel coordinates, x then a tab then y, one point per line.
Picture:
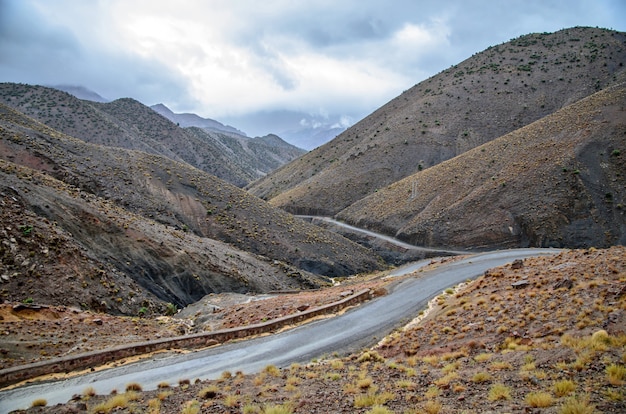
225	59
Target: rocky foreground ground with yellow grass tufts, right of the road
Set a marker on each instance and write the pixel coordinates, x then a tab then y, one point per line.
541	335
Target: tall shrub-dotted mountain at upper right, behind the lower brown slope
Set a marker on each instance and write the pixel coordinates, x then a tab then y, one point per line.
494	92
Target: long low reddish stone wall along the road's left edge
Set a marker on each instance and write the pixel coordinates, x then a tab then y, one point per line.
86	360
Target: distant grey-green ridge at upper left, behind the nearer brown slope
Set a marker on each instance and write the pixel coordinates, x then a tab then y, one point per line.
126	123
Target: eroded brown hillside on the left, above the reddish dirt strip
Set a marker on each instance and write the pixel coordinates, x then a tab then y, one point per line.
146	218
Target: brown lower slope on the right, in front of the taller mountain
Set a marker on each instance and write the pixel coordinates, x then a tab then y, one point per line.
560	181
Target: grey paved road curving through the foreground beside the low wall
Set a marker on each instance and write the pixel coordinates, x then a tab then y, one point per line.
361	327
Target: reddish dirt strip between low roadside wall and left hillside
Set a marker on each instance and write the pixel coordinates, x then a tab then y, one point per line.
33	332
